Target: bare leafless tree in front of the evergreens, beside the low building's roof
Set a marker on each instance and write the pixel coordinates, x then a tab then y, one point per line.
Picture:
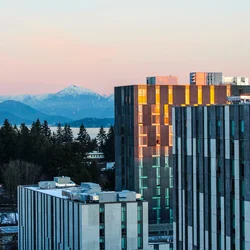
19	173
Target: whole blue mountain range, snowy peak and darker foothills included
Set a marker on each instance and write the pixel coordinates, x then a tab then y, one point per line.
70	104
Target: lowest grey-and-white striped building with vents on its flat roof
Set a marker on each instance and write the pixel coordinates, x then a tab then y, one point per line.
55	215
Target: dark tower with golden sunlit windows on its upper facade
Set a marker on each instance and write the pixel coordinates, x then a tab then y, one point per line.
143	141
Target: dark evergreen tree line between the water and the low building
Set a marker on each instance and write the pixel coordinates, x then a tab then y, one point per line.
35	153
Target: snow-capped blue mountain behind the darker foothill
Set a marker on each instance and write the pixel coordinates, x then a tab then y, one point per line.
74	102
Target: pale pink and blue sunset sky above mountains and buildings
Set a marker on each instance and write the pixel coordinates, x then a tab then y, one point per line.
47	45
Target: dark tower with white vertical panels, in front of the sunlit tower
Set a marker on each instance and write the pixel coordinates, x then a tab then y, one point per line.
211	163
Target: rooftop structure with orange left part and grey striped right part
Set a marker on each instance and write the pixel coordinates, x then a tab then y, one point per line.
206	78
